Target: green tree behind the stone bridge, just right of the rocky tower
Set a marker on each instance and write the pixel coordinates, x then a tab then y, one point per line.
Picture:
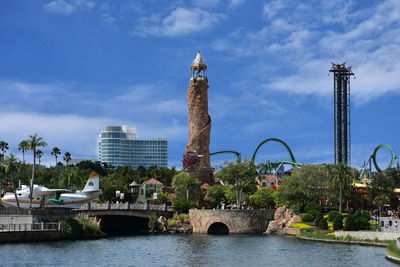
240	174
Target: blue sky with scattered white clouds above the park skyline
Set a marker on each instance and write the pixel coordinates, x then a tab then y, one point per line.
68	67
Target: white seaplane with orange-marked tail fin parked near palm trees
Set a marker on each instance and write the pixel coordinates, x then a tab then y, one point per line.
54	198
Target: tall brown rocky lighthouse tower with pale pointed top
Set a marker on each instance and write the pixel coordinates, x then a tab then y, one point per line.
197	155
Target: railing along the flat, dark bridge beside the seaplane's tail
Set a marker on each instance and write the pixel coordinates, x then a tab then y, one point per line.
124	206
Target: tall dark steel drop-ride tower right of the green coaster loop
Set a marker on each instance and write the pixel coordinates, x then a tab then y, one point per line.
342	134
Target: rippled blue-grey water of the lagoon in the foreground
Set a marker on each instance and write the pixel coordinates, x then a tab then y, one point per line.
191	250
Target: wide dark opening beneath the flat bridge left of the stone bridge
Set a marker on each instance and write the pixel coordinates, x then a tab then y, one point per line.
116	224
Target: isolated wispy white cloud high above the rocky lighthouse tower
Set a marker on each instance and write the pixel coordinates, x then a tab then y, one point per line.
180	21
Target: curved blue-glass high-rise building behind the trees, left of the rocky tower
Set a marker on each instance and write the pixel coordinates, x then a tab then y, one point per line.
118	146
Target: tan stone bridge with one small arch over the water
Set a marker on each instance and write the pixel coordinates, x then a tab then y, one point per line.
230	221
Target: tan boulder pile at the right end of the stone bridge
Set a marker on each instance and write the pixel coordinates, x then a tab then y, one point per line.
283	218
